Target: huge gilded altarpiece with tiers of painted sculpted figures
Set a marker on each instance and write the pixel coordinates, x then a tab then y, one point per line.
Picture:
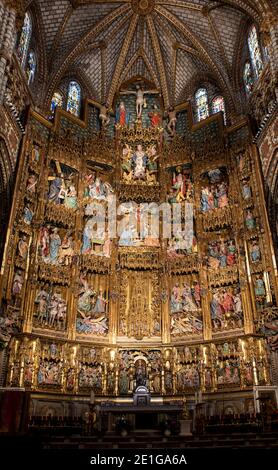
90	308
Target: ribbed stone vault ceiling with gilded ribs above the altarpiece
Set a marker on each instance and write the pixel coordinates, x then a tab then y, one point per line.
168	42
